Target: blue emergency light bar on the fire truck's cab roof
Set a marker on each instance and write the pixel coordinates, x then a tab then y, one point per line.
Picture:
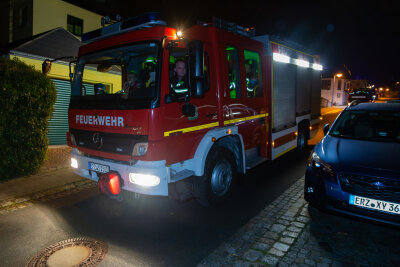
136	23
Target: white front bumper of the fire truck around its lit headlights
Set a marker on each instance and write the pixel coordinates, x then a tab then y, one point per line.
157	168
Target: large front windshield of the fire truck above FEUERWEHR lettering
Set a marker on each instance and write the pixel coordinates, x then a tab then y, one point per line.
125	73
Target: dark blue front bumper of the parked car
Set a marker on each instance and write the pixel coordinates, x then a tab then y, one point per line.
327	195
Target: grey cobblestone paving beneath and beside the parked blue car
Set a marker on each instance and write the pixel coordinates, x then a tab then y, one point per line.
289	233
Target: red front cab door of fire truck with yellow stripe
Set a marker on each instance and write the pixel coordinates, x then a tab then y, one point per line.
185	133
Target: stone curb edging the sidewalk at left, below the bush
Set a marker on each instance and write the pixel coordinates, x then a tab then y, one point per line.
51	193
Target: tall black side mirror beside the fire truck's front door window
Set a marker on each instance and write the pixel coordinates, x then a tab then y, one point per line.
196	71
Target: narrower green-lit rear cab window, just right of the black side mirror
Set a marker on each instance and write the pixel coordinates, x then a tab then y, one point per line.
233	71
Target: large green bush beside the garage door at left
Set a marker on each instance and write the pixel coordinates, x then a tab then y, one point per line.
26	103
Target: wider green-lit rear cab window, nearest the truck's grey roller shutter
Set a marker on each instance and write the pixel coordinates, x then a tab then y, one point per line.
253	74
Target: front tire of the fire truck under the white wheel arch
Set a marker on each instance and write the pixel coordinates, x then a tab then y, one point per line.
220	174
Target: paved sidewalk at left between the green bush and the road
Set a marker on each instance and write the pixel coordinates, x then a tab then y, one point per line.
53	180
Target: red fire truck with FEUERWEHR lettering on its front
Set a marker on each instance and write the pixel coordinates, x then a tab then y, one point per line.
246	99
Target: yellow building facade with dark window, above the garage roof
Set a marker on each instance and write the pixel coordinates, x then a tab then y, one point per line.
21	19
